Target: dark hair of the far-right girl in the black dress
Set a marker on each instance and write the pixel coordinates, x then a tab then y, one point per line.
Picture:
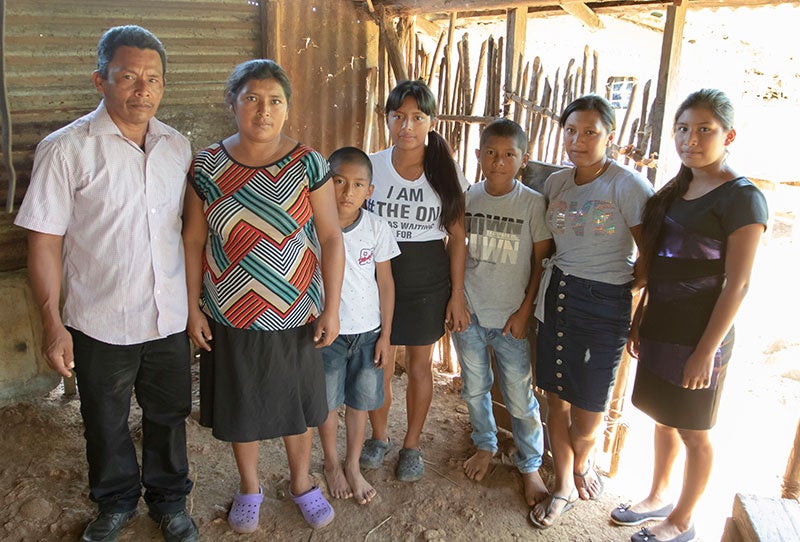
718	104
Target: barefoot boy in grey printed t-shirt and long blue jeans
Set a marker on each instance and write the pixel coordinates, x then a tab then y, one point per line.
507	240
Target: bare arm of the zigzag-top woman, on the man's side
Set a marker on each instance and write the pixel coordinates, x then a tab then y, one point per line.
195	235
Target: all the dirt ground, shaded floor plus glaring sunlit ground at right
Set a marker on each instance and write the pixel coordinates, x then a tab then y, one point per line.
43	485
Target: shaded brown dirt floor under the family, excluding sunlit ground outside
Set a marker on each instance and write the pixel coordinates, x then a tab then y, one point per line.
42	471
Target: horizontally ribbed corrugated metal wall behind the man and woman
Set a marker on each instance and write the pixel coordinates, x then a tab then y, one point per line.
51	53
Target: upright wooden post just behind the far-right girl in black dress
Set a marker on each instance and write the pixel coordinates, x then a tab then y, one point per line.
667	83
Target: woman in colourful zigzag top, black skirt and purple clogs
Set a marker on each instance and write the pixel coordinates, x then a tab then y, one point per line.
253	264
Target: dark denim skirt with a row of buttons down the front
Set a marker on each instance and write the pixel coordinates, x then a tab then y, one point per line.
580	342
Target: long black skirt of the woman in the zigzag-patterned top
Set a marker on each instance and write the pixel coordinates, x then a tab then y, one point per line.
257	385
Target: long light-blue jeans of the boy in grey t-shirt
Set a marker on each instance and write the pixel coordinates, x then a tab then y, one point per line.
514	369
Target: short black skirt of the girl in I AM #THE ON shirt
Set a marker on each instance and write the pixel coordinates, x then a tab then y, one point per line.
422	289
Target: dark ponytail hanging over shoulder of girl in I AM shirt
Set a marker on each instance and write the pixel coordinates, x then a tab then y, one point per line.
440	170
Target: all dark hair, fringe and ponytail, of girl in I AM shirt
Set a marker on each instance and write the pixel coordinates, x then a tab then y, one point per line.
438	164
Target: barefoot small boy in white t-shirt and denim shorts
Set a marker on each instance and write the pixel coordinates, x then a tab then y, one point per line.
354	361
